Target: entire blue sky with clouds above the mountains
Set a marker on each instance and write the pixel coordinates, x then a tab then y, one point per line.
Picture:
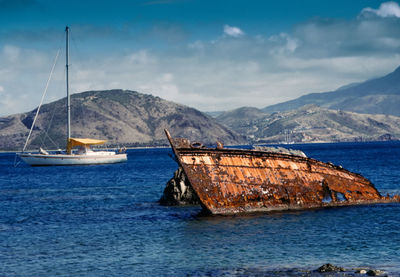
211	55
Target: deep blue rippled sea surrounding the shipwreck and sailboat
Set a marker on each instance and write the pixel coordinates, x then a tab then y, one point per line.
105	221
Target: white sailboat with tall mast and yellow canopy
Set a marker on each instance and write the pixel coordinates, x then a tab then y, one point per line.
78	151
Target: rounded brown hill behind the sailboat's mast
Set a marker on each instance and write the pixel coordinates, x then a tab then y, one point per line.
120	116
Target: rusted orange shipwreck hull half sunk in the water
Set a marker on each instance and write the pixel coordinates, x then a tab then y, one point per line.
231	181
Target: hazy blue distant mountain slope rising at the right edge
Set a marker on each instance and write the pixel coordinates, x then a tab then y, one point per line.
376	96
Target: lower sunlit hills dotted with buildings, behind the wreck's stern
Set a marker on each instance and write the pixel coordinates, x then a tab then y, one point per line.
310	123
